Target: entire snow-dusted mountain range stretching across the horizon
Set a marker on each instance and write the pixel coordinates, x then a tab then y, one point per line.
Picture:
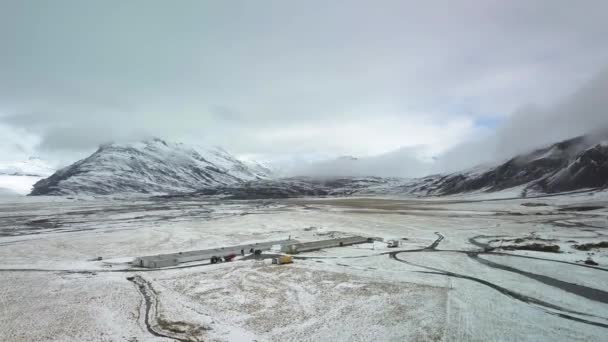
155	166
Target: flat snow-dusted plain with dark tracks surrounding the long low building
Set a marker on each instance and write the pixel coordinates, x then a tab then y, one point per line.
458	274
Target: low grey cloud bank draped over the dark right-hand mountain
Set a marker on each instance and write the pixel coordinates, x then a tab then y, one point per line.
585	112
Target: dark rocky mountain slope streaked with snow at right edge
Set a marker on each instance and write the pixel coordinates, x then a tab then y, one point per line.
572	164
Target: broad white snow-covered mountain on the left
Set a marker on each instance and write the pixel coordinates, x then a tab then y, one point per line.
151	166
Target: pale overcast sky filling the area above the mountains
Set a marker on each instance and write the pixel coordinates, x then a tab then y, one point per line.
292	78
